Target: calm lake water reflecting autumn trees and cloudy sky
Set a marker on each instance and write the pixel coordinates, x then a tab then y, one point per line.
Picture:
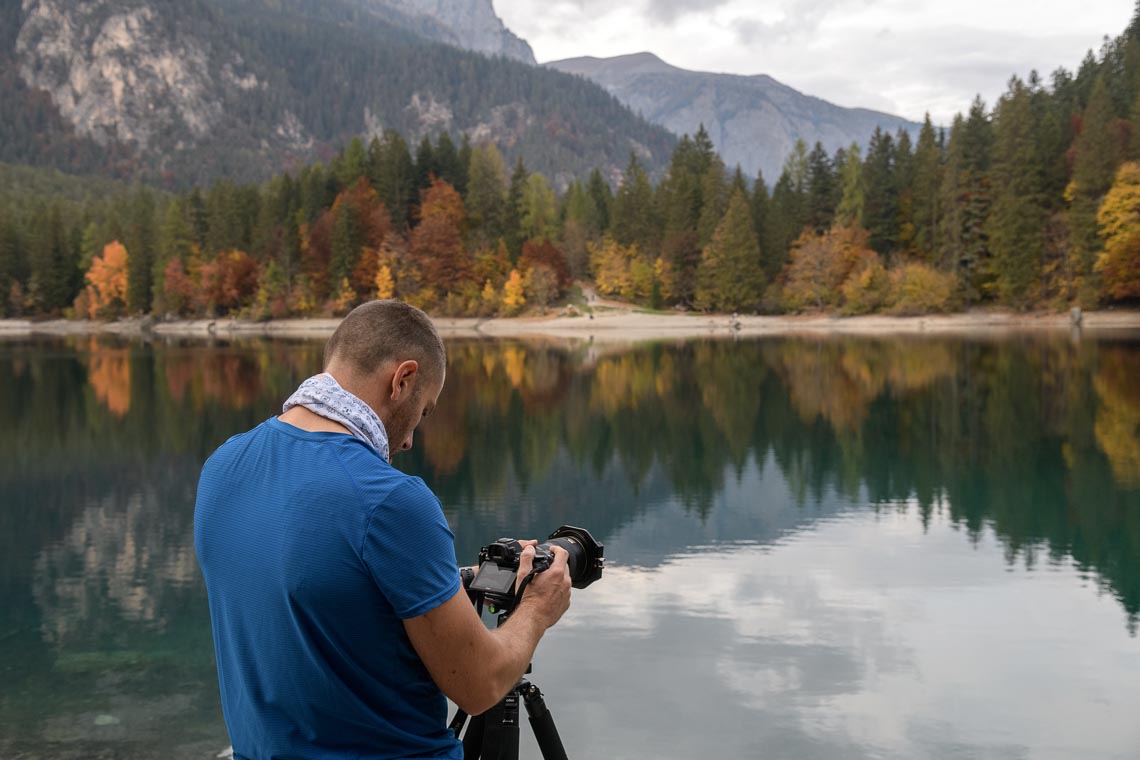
817	547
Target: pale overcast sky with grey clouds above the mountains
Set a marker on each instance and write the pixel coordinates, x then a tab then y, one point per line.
906	58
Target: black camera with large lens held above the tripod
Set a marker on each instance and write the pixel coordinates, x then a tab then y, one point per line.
499	565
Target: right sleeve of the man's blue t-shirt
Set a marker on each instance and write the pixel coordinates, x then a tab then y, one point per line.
410	551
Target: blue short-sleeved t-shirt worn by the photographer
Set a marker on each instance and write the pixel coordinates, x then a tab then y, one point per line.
314	551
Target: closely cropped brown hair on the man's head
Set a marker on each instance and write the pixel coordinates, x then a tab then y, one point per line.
385	331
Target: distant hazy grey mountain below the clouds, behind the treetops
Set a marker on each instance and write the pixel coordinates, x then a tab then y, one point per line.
754	121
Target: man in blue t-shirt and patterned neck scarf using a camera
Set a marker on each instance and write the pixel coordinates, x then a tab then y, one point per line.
338	614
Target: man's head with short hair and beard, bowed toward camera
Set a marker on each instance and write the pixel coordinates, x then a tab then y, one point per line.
389	355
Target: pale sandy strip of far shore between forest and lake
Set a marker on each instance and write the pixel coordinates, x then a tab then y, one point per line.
617	325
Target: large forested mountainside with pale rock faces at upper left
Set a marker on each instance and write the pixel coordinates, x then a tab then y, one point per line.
184	92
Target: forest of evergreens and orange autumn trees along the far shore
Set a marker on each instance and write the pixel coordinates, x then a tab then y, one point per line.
1033	203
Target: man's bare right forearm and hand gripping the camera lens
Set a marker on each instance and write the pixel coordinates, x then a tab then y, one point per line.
476	667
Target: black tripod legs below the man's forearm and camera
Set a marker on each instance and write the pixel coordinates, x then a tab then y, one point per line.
495	734
